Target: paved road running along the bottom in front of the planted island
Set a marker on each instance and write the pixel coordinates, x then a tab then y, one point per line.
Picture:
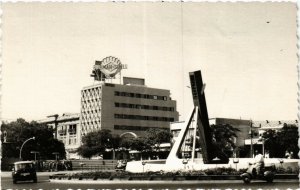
44	183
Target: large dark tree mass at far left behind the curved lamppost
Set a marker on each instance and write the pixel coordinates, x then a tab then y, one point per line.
17	132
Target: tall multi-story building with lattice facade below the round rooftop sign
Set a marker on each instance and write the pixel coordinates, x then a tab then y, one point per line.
131	108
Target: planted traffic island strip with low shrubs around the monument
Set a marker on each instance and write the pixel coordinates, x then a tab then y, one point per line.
211	174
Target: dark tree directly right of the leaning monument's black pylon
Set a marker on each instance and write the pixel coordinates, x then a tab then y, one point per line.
223	135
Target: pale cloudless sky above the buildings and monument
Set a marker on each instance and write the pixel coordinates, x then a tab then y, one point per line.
246	52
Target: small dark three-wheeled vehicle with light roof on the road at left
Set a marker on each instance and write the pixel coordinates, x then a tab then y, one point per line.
24	171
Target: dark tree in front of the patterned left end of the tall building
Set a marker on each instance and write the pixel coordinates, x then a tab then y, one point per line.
95	143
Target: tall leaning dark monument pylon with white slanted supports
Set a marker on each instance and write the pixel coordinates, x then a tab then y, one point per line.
210	153
